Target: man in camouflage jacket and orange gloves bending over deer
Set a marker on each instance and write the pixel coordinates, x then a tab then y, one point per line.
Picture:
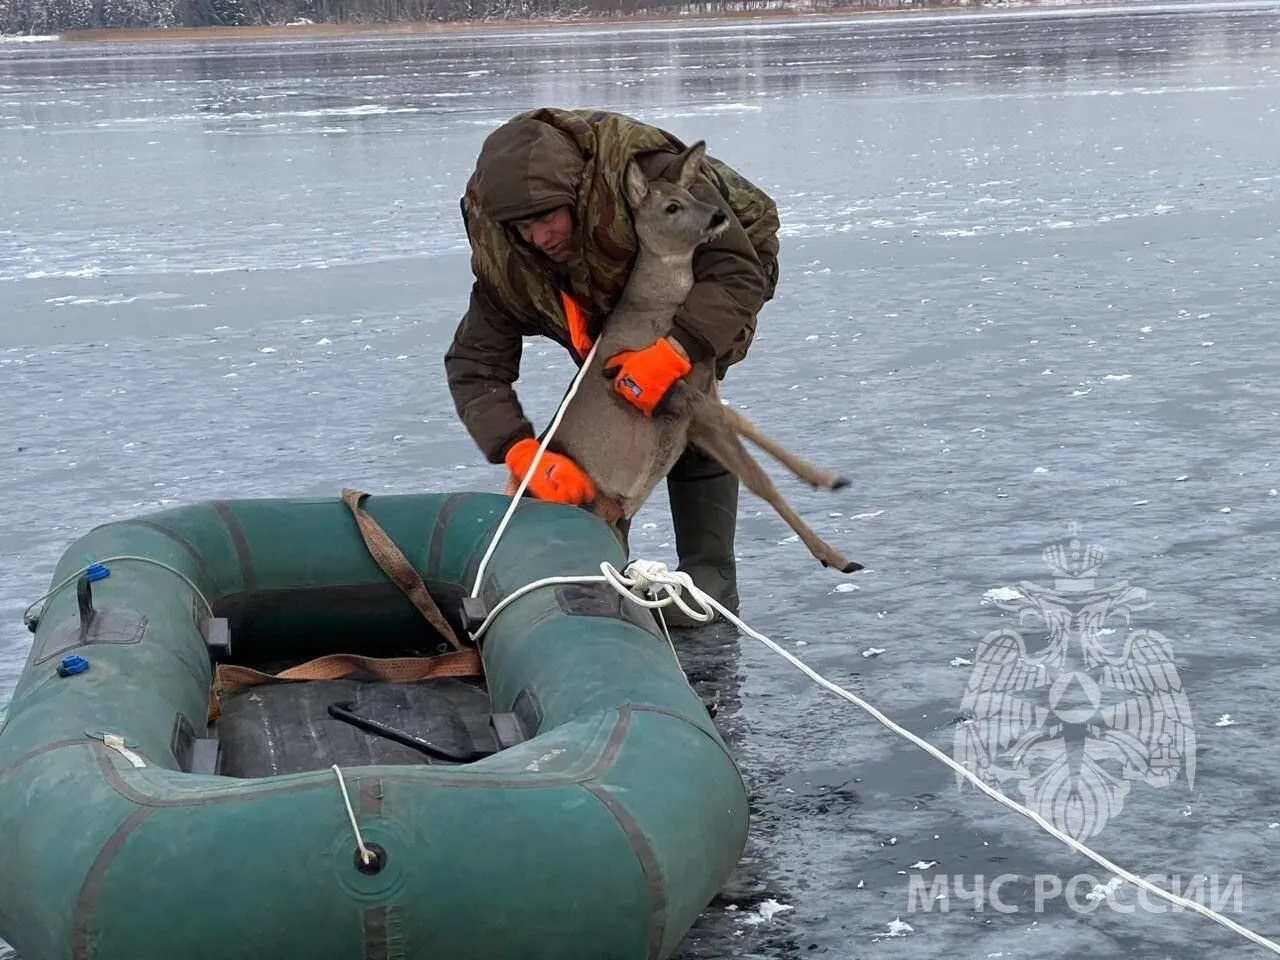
552	245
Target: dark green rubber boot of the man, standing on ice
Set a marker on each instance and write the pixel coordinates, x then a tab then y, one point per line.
705	514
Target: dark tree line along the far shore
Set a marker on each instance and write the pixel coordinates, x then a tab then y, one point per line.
48	17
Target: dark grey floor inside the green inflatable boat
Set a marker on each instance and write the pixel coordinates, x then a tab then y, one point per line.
278	729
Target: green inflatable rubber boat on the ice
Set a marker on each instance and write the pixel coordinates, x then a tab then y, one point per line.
245	730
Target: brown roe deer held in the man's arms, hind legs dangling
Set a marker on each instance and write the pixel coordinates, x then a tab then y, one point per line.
627	454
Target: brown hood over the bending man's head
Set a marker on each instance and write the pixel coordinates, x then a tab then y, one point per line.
527	168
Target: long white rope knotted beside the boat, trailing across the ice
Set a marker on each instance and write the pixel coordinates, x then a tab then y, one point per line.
652	586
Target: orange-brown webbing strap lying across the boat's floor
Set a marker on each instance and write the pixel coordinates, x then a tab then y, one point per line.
396	670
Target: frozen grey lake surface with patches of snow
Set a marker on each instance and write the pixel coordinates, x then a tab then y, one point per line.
1030	277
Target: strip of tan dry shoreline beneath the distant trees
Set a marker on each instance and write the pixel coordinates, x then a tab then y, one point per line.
342	31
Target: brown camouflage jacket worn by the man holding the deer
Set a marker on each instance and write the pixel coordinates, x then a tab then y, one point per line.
548	158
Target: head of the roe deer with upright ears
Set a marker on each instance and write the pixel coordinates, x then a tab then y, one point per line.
671	222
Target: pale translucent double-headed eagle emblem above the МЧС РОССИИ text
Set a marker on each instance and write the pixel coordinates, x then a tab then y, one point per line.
1084	717
